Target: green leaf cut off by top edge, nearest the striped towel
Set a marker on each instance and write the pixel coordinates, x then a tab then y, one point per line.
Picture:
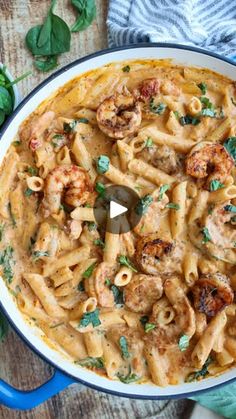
87	13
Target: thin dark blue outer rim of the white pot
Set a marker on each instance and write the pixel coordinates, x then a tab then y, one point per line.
2	131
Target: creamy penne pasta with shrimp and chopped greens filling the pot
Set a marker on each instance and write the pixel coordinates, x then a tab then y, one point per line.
150	304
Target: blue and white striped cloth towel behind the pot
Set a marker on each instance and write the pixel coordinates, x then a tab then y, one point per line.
209	24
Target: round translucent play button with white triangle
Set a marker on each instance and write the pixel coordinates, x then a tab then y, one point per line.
114	209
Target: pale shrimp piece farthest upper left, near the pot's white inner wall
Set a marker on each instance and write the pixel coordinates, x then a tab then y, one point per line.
35	130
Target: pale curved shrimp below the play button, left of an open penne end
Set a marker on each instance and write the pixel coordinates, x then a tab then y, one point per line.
103	293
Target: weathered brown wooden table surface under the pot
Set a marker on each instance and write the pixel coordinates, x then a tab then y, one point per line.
18	364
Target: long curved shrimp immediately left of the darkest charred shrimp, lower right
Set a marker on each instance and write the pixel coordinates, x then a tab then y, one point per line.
185	316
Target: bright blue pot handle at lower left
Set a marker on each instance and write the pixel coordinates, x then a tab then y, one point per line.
23	400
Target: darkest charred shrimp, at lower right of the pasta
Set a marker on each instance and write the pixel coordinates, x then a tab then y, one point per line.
212	292
